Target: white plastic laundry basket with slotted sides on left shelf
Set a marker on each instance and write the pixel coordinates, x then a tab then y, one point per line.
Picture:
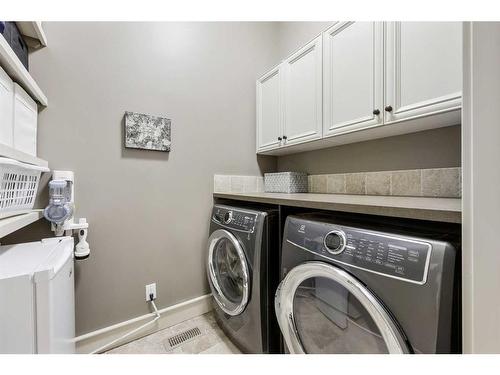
18	185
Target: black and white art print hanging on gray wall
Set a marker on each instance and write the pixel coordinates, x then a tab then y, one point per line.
147	132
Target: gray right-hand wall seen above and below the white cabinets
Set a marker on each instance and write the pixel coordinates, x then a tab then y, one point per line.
428	149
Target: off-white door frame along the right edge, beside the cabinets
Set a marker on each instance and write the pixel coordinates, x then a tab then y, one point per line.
481	188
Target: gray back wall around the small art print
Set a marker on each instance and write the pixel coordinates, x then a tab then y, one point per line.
148	211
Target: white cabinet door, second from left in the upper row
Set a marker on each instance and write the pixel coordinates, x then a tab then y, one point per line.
303	94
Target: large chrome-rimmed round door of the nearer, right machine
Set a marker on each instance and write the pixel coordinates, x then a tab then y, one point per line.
323	309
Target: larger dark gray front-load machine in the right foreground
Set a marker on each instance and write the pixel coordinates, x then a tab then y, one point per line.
352	287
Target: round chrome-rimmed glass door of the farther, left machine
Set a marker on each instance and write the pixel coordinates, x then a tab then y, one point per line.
228	272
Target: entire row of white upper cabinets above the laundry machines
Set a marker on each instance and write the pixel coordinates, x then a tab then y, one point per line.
360	81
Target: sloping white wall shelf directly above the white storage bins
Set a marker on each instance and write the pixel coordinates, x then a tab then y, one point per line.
16	70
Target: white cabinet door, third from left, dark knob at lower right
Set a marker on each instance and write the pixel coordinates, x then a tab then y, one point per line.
352	77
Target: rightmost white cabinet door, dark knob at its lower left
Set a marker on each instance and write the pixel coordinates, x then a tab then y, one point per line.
423	69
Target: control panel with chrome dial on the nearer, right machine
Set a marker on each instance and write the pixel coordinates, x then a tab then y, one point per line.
378	252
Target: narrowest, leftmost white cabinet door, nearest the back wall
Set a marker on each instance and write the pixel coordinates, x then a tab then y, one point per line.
269	110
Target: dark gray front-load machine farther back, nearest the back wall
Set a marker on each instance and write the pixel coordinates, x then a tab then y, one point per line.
243	273
